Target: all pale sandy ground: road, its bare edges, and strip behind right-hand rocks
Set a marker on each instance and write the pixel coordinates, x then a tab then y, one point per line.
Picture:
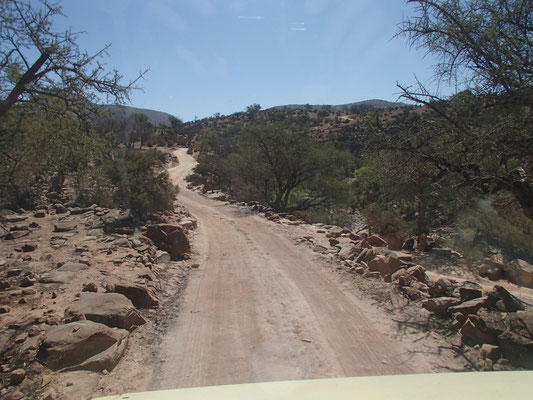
263	306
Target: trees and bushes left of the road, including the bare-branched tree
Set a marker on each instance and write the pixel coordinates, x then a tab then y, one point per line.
54	134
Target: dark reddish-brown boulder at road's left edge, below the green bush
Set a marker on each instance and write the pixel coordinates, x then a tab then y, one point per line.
170	238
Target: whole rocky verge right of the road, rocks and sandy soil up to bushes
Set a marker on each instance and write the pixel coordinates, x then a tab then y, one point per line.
487	325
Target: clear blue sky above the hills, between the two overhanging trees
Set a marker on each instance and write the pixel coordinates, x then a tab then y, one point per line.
209	56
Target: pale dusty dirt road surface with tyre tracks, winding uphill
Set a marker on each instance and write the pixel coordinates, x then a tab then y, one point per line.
260	308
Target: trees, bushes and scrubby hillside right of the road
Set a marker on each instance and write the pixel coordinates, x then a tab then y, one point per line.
459	166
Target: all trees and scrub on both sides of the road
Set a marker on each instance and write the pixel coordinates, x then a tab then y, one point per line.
461	162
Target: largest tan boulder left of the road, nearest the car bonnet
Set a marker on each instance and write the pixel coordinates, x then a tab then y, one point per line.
82	345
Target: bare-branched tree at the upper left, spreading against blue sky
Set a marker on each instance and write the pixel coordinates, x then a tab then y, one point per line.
39	63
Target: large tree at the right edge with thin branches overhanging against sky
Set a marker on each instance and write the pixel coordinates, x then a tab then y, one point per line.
482	136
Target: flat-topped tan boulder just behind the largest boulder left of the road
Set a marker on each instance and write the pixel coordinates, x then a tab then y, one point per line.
112	309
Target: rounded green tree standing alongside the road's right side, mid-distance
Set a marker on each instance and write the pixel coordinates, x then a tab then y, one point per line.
285	169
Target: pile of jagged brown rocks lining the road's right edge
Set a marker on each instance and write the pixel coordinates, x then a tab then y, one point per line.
495	321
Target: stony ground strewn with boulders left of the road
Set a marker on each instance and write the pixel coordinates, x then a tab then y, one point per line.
81	289
